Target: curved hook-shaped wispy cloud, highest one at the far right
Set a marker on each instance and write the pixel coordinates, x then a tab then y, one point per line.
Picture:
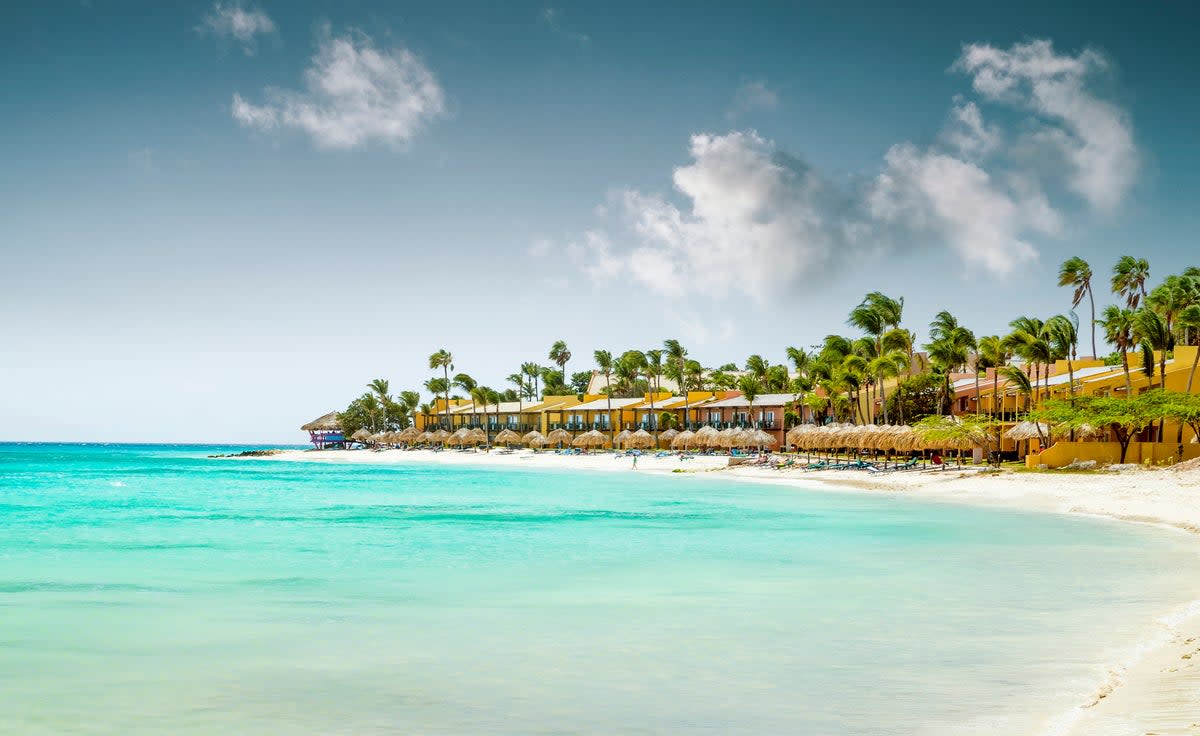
1094	135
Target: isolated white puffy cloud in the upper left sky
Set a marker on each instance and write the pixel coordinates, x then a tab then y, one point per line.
355	94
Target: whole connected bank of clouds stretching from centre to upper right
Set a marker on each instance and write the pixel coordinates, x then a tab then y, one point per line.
748	219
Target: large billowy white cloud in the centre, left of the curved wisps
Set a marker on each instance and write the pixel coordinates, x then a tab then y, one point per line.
754	223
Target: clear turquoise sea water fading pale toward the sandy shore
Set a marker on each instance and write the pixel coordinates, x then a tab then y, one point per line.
153	590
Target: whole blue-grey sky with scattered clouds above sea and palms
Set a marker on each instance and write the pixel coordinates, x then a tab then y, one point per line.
223	220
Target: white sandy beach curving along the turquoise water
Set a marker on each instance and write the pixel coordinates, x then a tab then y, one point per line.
1157	691
